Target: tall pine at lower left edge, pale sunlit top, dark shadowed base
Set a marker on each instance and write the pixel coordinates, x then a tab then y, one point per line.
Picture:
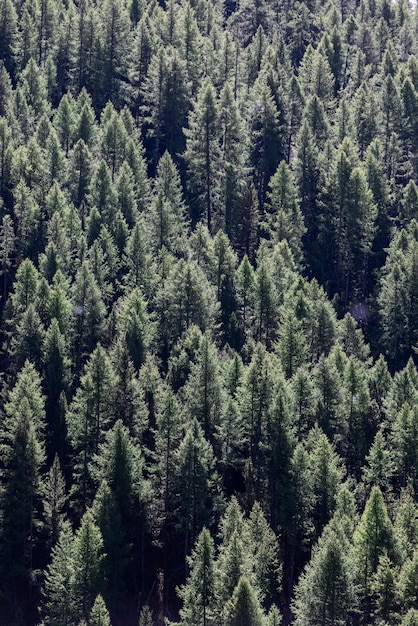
23	457
